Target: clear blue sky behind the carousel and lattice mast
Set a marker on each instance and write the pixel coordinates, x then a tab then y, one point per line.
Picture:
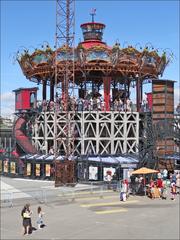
30	23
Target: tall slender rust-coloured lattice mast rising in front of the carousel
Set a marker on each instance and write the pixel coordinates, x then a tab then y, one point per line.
64	38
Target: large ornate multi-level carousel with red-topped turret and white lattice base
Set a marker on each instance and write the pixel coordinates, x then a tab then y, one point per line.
96	94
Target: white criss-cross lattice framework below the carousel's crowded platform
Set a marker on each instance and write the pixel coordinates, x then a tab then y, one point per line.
94	132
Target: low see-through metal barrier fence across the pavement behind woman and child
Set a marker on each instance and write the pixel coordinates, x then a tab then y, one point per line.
65	193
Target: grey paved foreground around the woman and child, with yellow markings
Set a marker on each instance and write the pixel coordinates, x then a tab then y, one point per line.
92	217
